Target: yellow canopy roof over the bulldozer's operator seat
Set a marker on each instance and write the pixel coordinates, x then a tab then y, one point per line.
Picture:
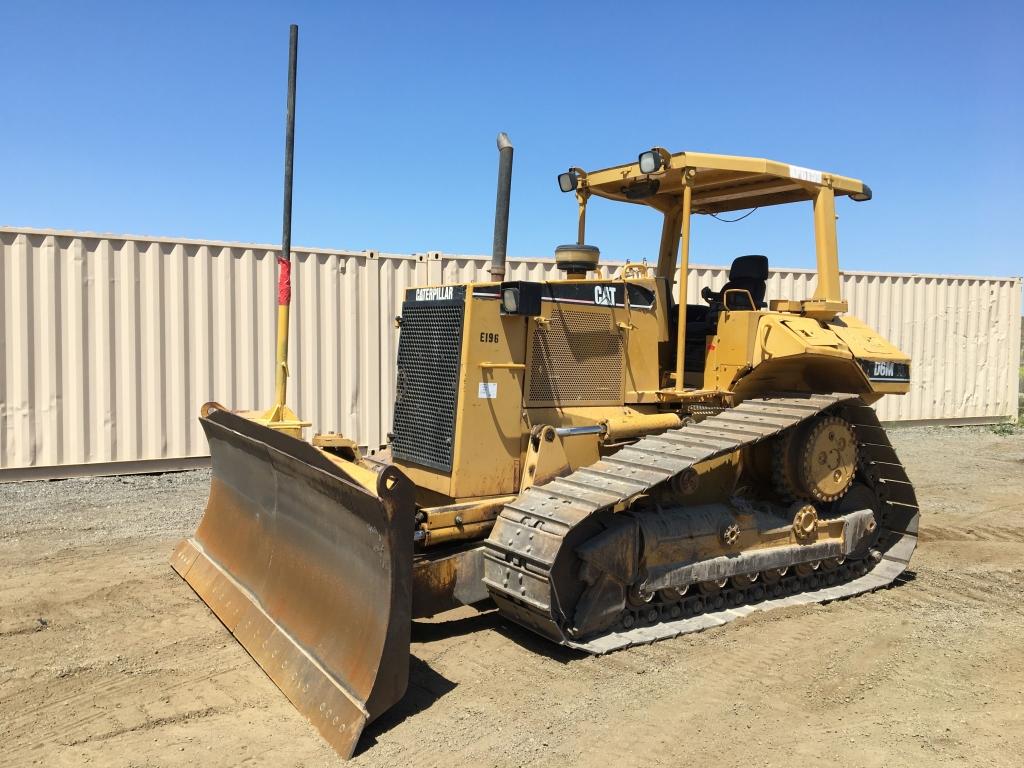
721	183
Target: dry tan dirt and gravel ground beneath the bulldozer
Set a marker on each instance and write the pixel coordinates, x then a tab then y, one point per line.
107	658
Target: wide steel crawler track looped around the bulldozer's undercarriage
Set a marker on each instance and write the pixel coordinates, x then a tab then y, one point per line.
522	551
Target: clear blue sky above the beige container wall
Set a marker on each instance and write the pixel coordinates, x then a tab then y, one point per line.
167	119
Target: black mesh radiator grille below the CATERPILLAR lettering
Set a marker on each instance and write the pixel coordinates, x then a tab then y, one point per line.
428	387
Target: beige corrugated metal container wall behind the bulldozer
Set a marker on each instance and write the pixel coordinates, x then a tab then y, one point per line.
111	345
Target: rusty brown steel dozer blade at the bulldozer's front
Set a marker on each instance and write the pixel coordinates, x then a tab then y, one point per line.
310	571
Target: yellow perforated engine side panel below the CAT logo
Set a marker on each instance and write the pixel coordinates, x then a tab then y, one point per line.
577	359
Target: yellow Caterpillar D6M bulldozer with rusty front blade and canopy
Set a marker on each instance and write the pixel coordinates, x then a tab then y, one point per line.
596	459
